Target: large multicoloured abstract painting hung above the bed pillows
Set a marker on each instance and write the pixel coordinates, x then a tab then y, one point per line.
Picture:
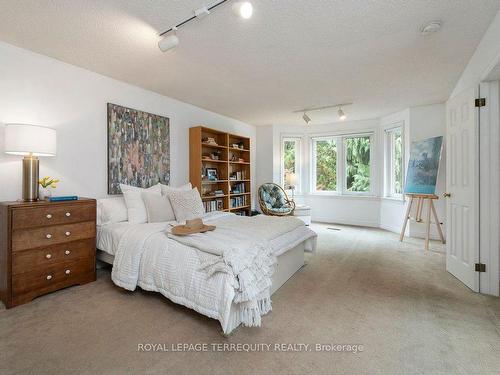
138	148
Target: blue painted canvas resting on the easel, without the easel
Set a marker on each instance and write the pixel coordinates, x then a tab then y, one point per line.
423	167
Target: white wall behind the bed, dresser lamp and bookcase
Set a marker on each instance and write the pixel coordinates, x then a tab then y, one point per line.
36	89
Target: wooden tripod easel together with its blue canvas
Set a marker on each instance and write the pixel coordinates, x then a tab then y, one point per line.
421	181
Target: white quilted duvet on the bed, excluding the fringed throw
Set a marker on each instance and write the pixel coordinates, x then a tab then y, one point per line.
147	258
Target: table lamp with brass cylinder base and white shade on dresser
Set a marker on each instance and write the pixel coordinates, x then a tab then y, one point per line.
30	141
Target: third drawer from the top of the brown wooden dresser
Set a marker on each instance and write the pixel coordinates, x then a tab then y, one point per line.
44	257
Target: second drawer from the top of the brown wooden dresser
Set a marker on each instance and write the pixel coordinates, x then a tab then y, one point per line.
41	237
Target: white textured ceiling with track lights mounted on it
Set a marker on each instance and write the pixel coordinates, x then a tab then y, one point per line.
291	54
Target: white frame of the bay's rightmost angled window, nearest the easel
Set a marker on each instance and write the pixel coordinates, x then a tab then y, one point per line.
389	188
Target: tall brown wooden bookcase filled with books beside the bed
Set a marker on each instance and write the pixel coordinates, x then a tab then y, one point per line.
219	167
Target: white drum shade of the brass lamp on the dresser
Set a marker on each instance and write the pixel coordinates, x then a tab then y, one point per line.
22	139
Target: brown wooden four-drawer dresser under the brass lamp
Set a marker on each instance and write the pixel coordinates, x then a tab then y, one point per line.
44	247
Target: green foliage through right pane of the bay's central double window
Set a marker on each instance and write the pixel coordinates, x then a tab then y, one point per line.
358	163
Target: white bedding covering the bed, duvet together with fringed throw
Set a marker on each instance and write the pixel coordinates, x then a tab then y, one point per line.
146	257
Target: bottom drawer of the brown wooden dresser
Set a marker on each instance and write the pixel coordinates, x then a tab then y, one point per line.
62	274
